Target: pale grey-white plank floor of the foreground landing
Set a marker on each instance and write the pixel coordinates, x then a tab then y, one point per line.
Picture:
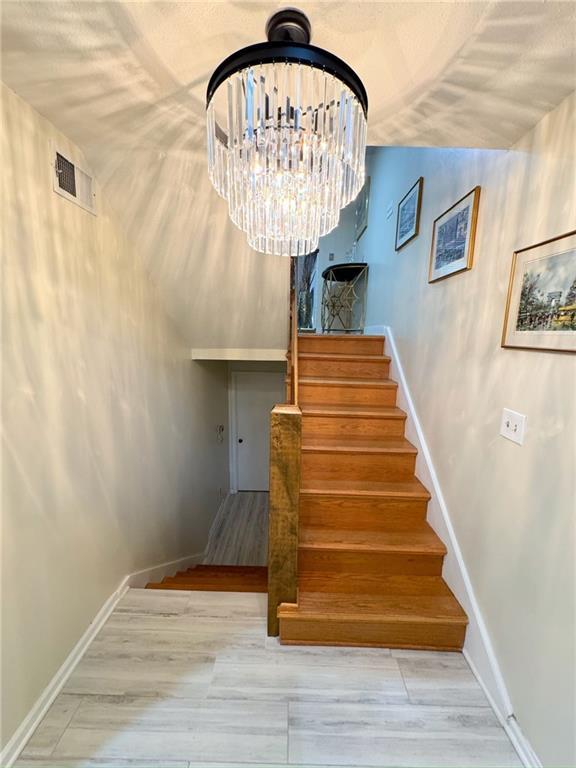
189	679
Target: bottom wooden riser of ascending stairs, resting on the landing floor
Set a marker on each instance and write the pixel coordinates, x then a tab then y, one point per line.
389	634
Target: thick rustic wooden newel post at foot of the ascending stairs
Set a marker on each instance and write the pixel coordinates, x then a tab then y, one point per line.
285	442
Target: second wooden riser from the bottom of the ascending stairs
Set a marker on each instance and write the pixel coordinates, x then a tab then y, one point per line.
369	565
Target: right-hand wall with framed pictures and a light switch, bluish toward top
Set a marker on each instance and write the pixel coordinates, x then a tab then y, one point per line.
513	508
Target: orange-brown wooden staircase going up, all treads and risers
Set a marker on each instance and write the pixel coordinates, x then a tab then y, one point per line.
369	565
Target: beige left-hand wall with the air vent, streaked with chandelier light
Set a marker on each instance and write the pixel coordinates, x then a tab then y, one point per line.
110	458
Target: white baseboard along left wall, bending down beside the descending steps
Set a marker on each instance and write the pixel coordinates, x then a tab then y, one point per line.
137	579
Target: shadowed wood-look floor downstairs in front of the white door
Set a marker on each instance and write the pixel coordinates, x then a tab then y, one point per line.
239	535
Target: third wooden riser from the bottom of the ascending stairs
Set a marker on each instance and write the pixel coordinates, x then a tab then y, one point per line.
361	513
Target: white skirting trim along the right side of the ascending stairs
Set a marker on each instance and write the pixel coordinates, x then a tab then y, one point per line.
478	648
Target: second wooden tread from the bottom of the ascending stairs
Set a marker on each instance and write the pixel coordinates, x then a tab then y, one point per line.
420	540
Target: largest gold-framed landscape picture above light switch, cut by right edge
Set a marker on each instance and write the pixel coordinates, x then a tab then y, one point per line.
541	304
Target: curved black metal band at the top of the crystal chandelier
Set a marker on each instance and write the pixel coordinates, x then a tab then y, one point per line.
295	53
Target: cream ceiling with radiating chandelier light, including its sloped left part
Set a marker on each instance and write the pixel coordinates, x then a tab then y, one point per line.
126	81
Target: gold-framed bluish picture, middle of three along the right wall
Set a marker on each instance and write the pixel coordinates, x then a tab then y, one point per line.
453	238
